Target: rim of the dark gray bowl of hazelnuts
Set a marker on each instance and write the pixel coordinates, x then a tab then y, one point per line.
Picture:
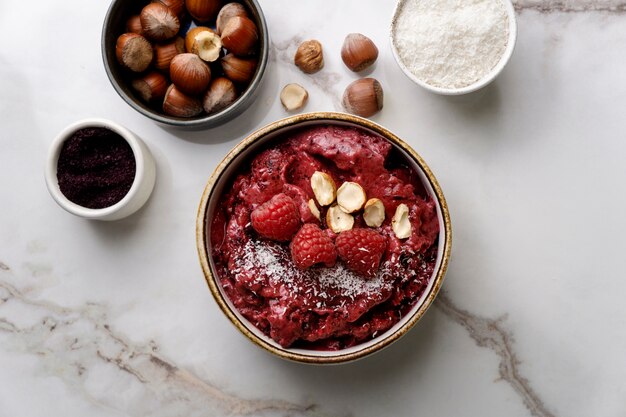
208	120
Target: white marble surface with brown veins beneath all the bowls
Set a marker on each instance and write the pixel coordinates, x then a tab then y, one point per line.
114	319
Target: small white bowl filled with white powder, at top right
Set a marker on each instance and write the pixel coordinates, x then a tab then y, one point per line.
453	46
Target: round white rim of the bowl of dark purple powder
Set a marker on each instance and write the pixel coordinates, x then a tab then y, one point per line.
53	157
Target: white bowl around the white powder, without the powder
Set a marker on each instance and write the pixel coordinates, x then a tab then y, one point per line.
484	81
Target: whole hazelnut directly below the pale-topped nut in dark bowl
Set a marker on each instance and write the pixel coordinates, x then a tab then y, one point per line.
190	74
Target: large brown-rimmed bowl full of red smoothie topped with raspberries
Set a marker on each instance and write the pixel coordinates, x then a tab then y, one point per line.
323	237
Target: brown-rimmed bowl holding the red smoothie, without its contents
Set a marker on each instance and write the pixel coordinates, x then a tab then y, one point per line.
230	166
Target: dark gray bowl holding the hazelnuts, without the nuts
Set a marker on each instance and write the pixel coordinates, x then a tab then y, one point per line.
114	25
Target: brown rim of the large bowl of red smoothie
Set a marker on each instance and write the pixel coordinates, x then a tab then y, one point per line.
203	249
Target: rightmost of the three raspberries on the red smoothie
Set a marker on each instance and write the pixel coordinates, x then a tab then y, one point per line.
361	250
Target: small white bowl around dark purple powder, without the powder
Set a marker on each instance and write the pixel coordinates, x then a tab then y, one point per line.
140	190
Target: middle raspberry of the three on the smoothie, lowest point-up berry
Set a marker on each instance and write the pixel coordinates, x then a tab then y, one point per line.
311	246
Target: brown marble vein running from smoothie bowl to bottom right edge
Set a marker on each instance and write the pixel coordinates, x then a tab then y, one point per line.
491	334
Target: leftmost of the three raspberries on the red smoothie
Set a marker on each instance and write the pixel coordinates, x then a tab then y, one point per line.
277	219
